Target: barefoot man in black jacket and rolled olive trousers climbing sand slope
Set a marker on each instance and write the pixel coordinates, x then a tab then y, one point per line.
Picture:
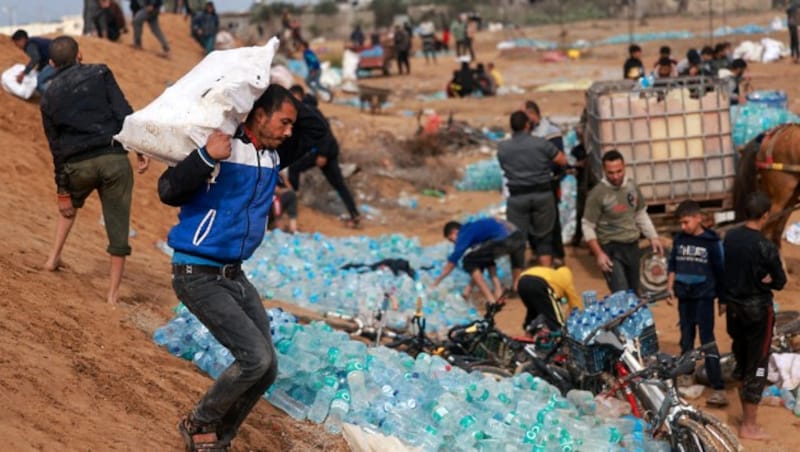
82	110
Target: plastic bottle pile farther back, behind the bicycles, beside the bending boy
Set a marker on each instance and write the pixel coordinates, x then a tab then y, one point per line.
306	270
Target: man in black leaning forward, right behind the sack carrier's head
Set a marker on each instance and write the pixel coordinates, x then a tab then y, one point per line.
323	154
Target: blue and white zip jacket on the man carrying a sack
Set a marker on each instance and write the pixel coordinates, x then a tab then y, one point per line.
222	218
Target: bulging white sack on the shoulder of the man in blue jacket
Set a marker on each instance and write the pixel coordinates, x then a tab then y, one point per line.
217	94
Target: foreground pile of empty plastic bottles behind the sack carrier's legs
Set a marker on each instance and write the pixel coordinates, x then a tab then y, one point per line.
326	378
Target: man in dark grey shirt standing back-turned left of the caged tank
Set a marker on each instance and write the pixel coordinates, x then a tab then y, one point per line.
526	163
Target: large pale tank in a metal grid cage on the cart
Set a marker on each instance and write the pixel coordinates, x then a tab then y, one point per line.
669	180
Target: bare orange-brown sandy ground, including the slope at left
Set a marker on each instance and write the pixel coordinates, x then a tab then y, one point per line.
77	374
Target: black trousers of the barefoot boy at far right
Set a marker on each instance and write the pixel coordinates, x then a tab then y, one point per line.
750	327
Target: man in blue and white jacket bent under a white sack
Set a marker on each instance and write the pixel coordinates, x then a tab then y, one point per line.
221	223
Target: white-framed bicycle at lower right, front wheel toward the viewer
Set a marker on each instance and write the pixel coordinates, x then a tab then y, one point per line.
652	390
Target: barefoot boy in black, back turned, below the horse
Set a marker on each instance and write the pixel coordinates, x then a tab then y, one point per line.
752	271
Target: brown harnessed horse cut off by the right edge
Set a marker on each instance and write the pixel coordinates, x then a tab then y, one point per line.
771	163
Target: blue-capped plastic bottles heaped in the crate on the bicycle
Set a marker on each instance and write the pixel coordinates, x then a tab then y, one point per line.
597	312
